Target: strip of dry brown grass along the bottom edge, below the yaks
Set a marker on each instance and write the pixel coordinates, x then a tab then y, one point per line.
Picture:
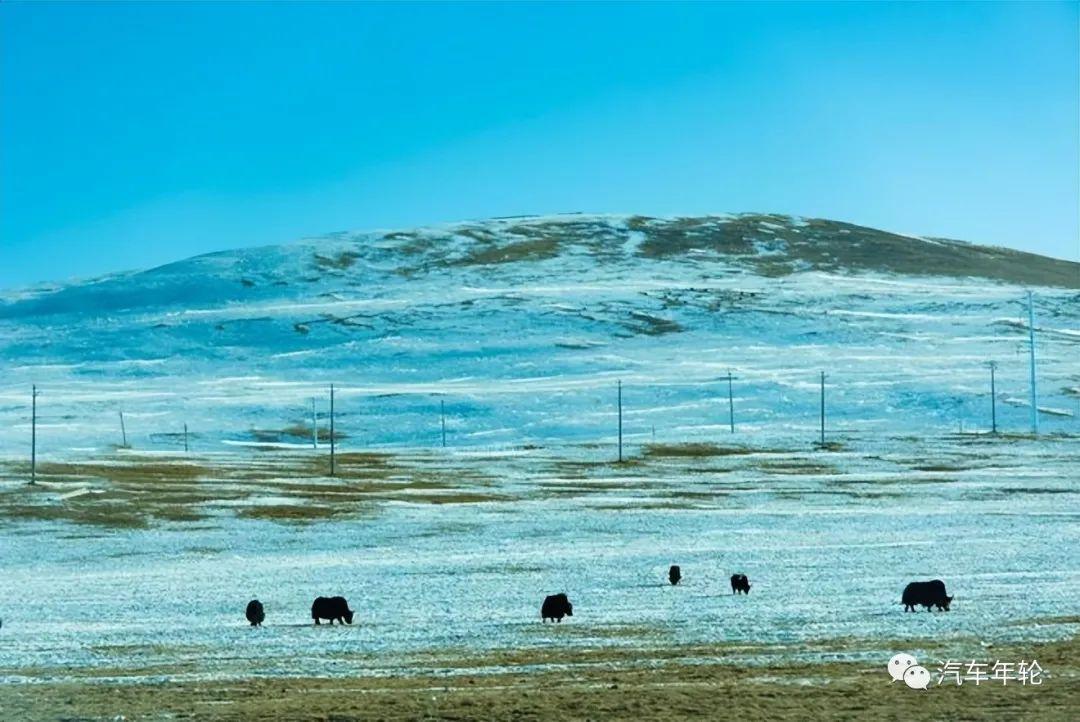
634	685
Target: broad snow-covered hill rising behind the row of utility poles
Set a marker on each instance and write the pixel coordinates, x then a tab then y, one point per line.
524	325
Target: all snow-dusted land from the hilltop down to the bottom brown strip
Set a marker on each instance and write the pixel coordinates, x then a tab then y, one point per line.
523	328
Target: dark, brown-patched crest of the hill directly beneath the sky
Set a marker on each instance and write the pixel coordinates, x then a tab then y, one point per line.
768	244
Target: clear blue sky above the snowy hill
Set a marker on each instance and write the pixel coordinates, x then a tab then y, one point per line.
138	134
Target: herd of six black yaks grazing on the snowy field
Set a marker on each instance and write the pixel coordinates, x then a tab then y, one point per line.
557	607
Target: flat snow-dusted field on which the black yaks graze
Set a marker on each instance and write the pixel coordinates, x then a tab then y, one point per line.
829	540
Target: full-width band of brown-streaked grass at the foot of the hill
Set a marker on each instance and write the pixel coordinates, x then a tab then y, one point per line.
127	491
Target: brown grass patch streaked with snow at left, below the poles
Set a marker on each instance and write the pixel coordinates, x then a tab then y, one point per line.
129	492
